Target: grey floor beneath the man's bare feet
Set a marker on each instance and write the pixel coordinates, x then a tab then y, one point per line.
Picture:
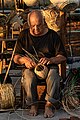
24	115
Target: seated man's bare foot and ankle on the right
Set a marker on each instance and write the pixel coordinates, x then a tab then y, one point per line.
49	113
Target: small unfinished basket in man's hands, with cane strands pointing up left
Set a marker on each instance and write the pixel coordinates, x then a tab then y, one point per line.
40	70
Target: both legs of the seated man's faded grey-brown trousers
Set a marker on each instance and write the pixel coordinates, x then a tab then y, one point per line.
30	81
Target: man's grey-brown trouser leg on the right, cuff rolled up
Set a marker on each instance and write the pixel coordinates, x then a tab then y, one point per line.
53	86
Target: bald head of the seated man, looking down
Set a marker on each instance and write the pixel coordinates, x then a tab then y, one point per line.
36	23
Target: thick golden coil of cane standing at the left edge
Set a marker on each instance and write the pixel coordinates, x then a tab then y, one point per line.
7	98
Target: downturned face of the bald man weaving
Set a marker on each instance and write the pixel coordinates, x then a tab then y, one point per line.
36	26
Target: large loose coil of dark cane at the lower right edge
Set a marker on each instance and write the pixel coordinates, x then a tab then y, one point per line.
71	100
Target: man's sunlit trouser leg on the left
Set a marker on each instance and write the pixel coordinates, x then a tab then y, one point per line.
30	85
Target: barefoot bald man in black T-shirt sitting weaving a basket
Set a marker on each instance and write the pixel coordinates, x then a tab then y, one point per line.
46	46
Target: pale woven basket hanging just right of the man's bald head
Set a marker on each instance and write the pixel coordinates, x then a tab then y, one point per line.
52	18
